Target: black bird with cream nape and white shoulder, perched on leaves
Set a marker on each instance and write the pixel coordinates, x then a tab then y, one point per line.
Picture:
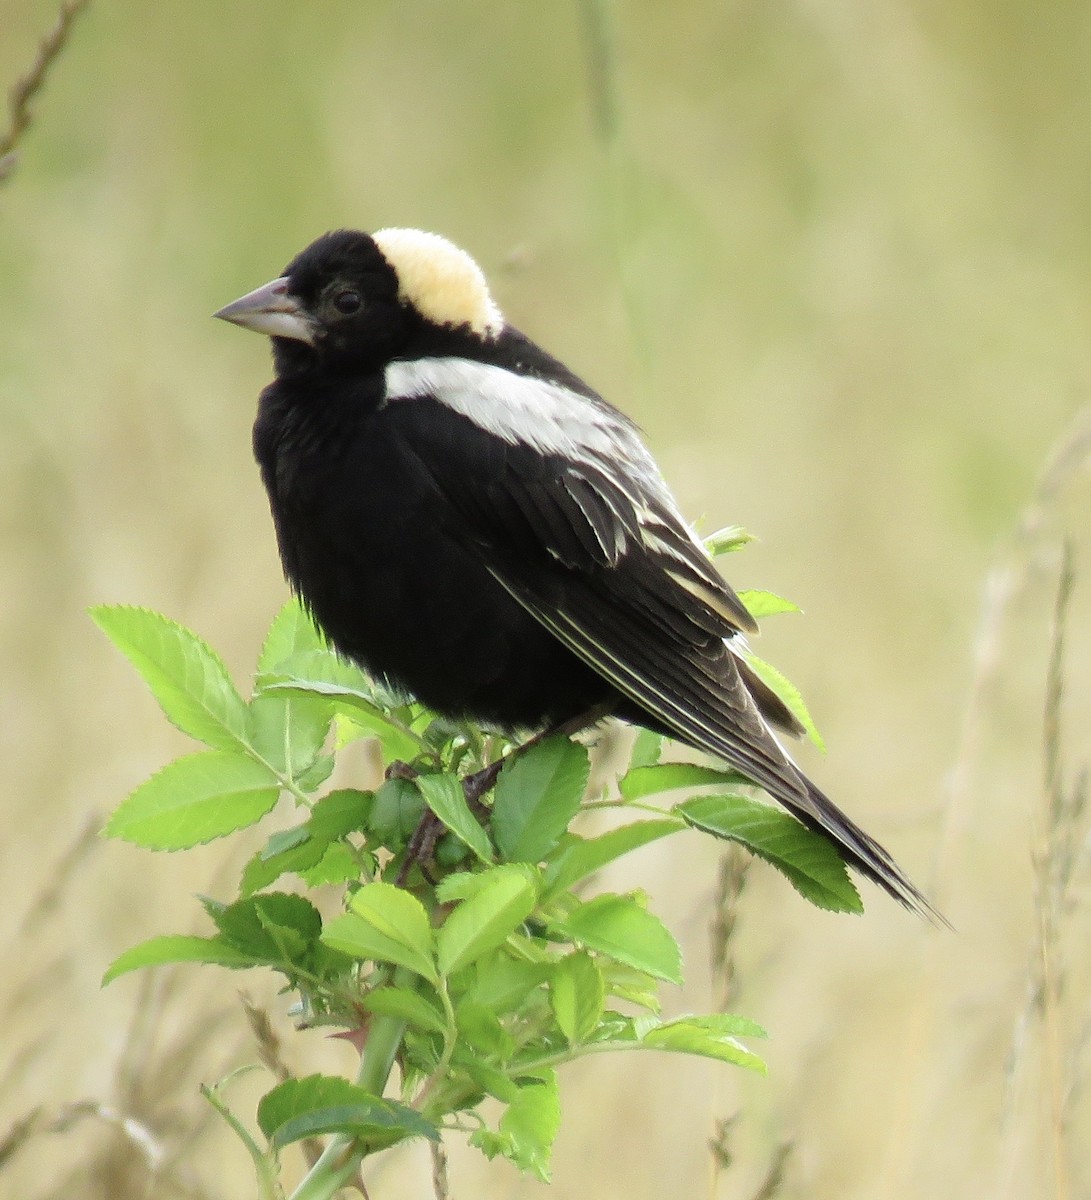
470	521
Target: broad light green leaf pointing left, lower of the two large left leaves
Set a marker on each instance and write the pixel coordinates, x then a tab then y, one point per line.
195	800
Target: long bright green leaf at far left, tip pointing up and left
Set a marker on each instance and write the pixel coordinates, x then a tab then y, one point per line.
185	675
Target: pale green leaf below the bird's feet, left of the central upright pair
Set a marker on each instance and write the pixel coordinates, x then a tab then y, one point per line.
387	925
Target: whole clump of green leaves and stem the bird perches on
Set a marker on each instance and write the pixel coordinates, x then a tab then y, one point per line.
467	950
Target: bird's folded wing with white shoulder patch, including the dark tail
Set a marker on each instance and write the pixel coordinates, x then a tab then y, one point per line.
572	517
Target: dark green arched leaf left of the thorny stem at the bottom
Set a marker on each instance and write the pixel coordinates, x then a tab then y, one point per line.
319	1105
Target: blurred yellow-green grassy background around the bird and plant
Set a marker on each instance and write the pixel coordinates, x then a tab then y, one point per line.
836	260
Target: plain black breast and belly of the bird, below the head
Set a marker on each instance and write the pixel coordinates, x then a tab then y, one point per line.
389	573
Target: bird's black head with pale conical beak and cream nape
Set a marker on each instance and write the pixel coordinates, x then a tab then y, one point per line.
356	298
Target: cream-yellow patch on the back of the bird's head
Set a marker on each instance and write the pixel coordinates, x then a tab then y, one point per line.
440	280
